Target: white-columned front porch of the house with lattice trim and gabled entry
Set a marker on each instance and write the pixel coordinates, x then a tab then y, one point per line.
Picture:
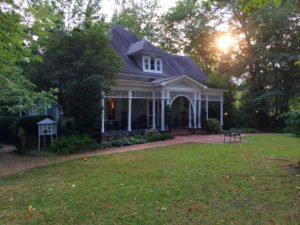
179	104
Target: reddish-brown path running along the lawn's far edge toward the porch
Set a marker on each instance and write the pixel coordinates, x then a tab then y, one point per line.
12	163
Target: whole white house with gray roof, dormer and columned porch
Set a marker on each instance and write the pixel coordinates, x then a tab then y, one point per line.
151	79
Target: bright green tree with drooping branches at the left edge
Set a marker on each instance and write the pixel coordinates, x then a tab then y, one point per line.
17	93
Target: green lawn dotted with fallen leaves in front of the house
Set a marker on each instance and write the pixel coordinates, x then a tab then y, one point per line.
239	184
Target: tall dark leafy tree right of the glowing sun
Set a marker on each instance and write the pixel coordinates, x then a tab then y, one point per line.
272	51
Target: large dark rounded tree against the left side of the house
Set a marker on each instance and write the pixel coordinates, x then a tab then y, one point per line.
81	64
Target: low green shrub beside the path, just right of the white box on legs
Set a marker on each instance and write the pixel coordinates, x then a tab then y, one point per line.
71	144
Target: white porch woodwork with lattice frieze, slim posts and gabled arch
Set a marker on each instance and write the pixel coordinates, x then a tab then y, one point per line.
162	94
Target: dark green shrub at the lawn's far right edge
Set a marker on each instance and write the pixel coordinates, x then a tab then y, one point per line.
292	121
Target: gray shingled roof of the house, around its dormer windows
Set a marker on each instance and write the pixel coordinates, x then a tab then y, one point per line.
126	44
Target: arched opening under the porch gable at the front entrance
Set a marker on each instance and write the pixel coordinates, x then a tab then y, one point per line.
181	112
